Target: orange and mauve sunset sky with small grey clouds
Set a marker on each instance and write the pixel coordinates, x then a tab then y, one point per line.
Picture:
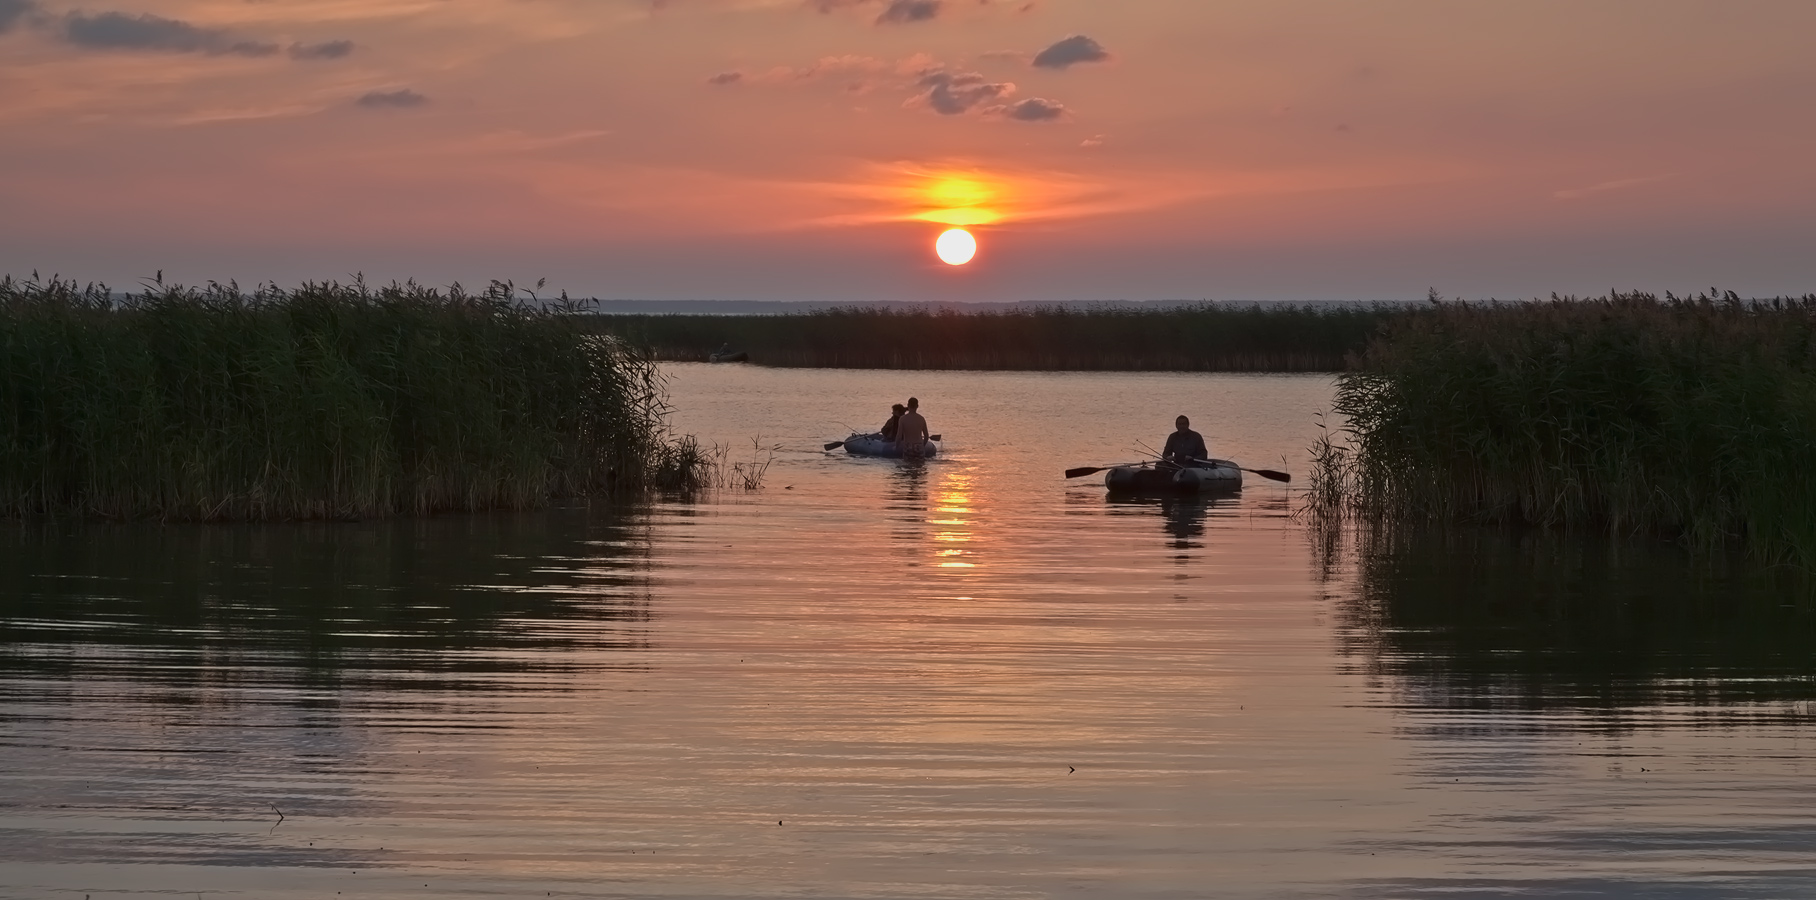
814	150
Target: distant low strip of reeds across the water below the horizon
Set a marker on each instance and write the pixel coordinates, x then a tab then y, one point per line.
1201	338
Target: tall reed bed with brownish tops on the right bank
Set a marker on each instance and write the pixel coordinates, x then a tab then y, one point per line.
1633	415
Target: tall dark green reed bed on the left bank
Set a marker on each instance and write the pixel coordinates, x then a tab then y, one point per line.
326	402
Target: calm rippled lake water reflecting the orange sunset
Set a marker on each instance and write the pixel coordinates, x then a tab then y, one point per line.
869	680
